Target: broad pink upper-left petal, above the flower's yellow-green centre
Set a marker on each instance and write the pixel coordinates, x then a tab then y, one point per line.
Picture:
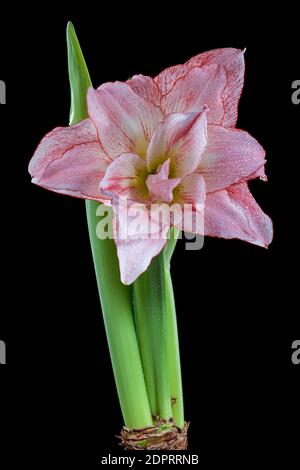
124	120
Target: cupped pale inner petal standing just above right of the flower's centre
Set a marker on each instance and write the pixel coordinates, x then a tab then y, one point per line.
180	137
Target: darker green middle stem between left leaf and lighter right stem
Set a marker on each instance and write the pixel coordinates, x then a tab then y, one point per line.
151	319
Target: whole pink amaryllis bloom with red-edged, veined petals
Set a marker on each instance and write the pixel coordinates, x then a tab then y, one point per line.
171	139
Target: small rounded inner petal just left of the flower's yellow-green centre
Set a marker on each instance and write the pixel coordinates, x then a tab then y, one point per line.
126	176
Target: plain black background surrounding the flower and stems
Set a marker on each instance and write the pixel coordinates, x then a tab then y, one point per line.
237	303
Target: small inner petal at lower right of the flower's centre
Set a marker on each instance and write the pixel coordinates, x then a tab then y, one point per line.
191	196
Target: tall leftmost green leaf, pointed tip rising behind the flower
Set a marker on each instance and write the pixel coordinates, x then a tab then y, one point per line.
115	297
